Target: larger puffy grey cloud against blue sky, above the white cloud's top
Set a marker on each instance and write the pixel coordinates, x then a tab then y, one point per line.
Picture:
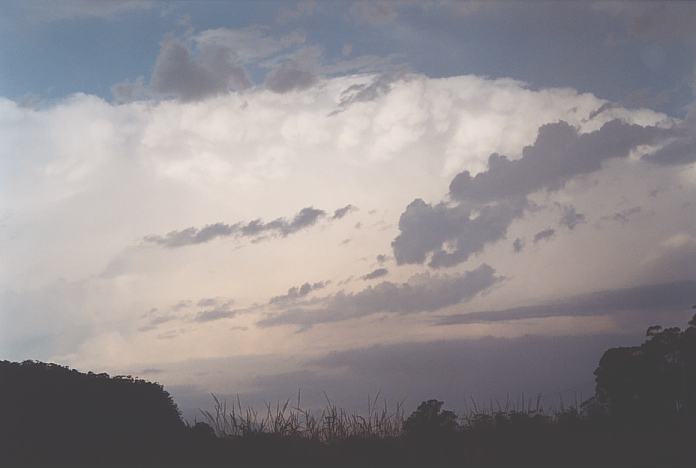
212	70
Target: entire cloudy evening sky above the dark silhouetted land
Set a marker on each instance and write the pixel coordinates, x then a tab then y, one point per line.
435	199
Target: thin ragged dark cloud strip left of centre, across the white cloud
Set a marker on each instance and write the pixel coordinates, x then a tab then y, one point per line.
279	227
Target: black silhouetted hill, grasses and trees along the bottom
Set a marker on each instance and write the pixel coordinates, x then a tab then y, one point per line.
643	414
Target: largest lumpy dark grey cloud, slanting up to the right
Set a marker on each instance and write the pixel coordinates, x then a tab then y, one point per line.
486	204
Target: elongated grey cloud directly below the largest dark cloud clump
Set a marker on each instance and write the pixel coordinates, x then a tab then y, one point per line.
423	293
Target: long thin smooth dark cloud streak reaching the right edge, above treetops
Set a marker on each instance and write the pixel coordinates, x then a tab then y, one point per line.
675	296
